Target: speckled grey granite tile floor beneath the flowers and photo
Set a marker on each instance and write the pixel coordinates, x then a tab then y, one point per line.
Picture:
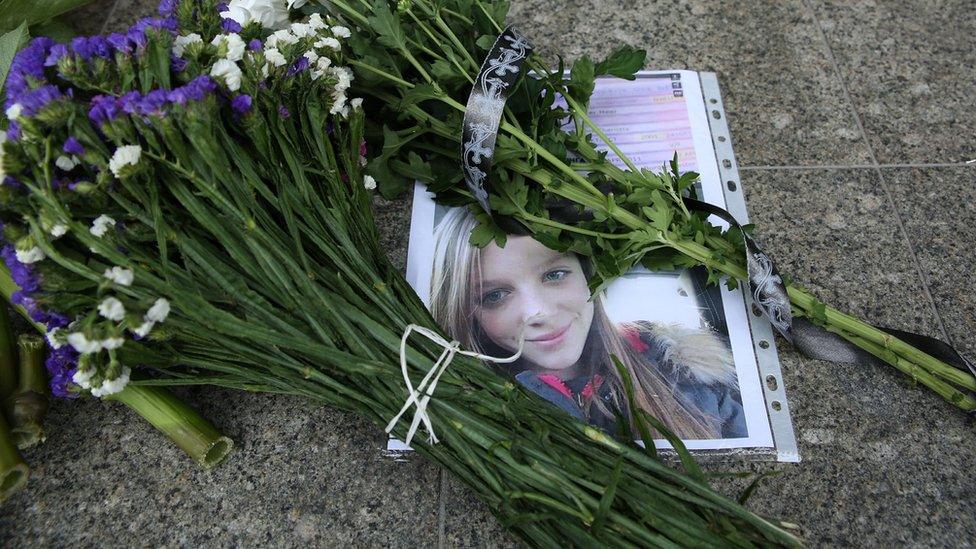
853	124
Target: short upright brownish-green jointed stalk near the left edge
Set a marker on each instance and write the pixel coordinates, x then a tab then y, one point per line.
28	404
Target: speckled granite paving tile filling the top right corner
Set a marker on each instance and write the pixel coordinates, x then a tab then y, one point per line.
910	67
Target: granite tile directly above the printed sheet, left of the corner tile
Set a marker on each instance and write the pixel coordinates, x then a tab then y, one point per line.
779	88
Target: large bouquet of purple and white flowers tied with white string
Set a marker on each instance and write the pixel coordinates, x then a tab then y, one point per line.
193	197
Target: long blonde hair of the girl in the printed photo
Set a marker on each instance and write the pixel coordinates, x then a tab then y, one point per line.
453	302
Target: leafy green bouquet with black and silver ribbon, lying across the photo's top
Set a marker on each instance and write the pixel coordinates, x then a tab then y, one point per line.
419	60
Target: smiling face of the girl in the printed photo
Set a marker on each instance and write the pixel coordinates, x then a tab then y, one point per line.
527	284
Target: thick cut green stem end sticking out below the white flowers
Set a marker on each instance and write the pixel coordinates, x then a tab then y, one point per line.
182	424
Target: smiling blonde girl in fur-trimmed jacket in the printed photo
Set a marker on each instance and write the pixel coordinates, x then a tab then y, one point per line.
488	298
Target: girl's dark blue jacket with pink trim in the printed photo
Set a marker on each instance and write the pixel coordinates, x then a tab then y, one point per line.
697	364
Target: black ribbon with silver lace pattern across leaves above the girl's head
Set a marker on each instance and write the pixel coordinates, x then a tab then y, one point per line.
483	114
